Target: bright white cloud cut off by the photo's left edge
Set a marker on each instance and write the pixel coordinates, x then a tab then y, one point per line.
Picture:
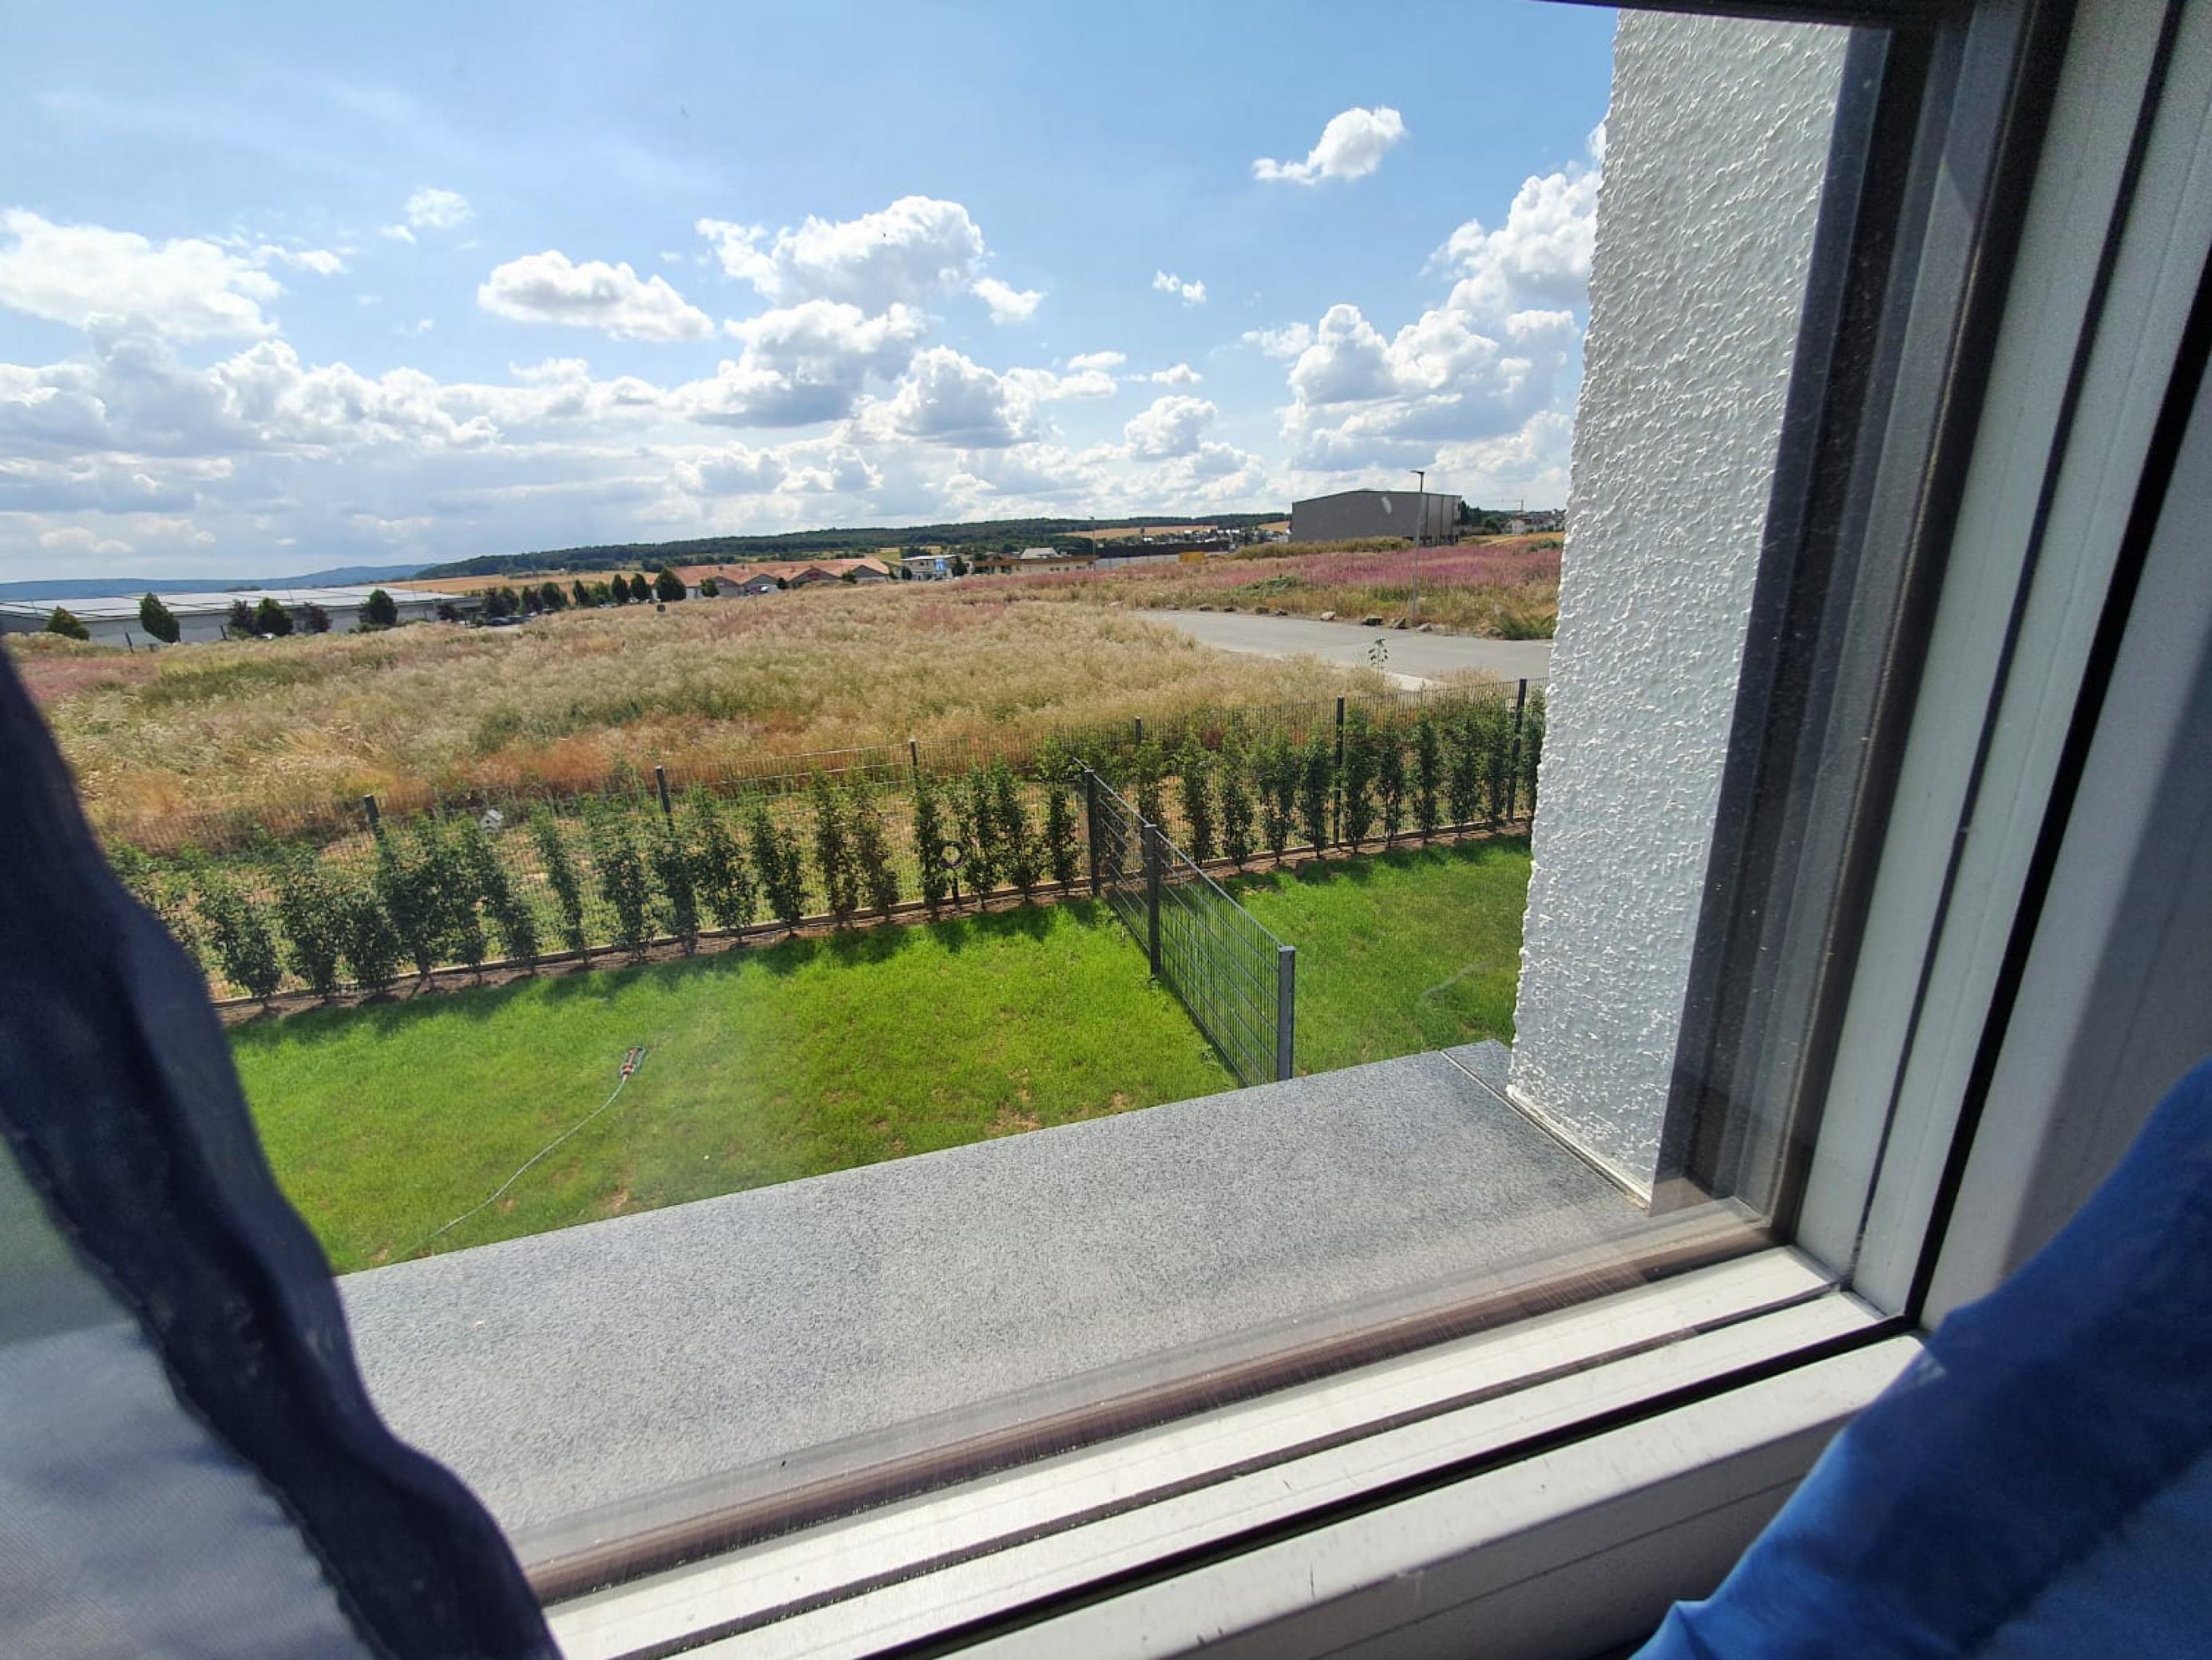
185	288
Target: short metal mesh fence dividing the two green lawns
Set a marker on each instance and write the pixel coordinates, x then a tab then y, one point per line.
1233	976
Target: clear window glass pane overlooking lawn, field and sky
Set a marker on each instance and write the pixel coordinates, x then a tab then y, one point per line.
1189	890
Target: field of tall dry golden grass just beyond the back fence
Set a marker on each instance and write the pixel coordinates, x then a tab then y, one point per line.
702	686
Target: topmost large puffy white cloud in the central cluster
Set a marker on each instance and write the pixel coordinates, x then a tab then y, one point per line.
910	251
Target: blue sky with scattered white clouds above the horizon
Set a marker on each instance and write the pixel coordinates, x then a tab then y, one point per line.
286	288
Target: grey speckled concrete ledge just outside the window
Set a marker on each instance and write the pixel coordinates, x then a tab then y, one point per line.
618	1360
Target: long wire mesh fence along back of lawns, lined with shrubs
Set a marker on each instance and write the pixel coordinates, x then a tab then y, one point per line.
315	899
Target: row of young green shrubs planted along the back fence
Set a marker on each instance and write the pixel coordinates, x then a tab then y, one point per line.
459	890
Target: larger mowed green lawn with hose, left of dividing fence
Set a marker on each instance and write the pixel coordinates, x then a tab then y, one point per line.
769	1064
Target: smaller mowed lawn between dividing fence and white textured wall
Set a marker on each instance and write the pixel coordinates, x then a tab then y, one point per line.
1399	952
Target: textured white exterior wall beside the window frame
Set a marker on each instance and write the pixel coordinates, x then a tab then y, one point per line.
1715	151
